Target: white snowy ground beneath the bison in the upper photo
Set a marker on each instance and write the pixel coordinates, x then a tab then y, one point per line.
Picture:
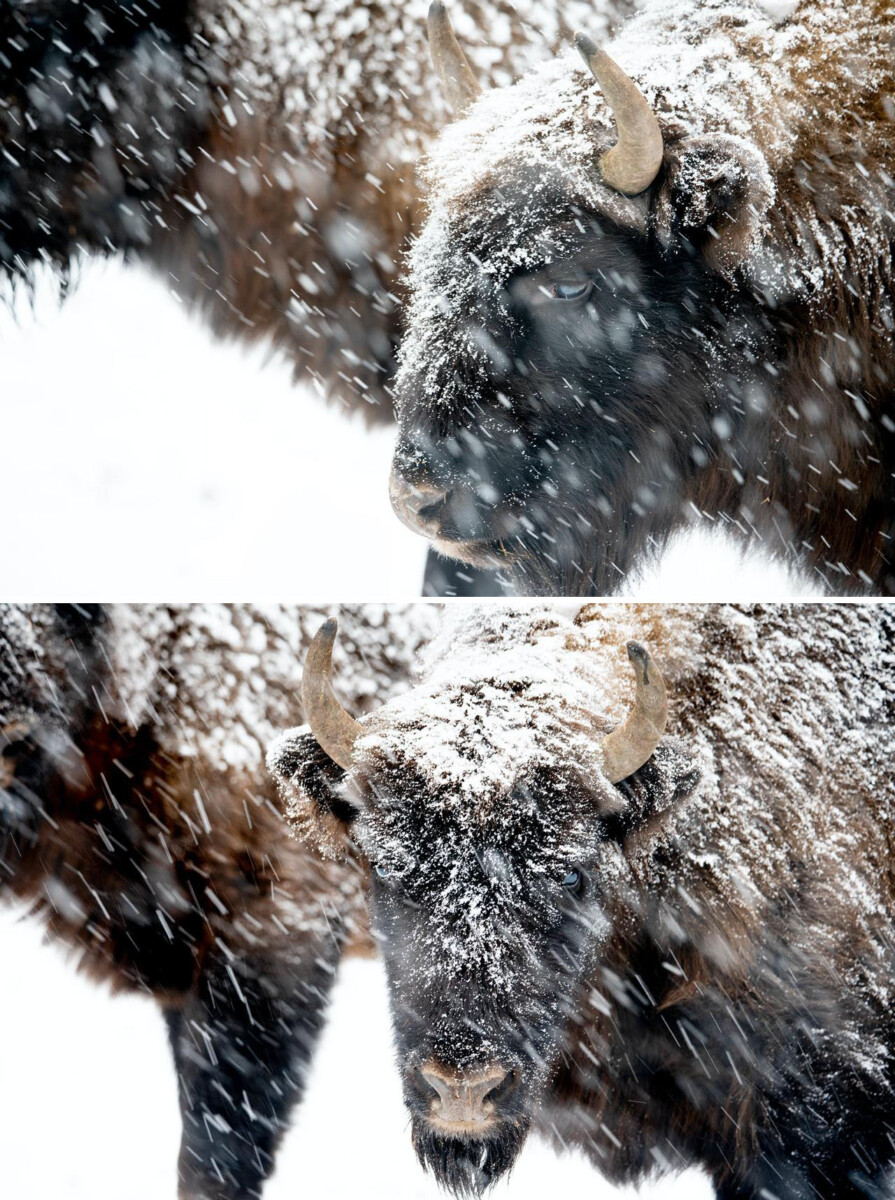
146	461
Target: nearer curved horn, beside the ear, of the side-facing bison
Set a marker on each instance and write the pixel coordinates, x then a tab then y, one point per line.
634	163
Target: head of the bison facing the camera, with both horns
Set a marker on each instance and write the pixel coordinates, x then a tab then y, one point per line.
494	806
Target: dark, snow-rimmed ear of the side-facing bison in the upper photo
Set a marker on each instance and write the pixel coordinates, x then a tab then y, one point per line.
714	196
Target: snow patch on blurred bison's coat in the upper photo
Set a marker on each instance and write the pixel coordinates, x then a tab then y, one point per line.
325	64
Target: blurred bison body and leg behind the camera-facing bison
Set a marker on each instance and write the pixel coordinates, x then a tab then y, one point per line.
139	821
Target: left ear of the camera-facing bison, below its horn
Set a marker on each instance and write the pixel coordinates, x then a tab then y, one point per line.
310	784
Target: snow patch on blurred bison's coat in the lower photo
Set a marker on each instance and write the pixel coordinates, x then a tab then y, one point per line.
219	681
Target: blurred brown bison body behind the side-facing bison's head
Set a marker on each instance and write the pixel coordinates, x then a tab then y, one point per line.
261	153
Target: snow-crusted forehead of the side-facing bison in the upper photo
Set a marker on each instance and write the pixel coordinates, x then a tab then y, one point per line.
497	211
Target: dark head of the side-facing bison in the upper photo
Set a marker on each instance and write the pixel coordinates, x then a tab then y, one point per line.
575	351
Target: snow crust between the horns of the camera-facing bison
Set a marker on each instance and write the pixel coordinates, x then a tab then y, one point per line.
503	695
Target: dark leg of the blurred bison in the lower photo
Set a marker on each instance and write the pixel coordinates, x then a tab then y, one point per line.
242	1049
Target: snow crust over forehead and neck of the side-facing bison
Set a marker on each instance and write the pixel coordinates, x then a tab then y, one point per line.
706	67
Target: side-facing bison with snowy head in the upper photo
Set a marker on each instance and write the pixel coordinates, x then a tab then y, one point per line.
654	287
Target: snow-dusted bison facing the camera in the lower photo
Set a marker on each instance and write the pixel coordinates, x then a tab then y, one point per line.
663	931
